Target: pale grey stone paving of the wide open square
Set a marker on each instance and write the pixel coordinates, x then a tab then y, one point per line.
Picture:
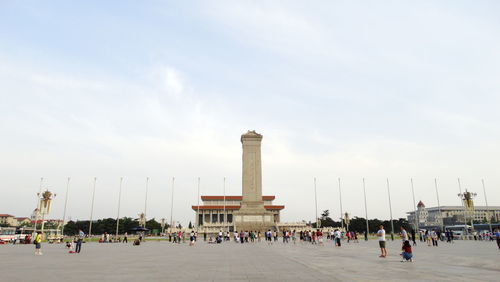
164	261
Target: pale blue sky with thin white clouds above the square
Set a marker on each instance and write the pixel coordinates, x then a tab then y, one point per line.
162	89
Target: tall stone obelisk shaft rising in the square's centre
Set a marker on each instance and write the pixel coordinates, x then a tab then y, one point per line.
252	170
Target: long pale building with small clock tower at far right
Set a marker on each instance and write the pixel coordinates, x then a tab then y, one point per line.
451	215
